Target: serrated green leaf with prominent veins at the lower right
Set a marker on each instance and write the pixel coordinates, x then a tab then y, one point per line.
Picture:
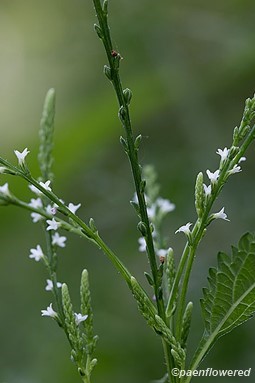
229	300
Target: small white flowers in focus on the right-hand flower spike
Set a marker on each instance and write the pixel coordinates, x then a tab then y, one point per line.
213	178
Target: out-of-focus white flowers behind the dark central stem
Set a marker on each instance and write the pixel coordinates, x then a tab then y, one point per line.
156	211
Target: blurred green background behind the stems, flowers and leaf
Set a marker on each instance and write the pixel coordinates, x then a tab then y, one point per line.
190	65
